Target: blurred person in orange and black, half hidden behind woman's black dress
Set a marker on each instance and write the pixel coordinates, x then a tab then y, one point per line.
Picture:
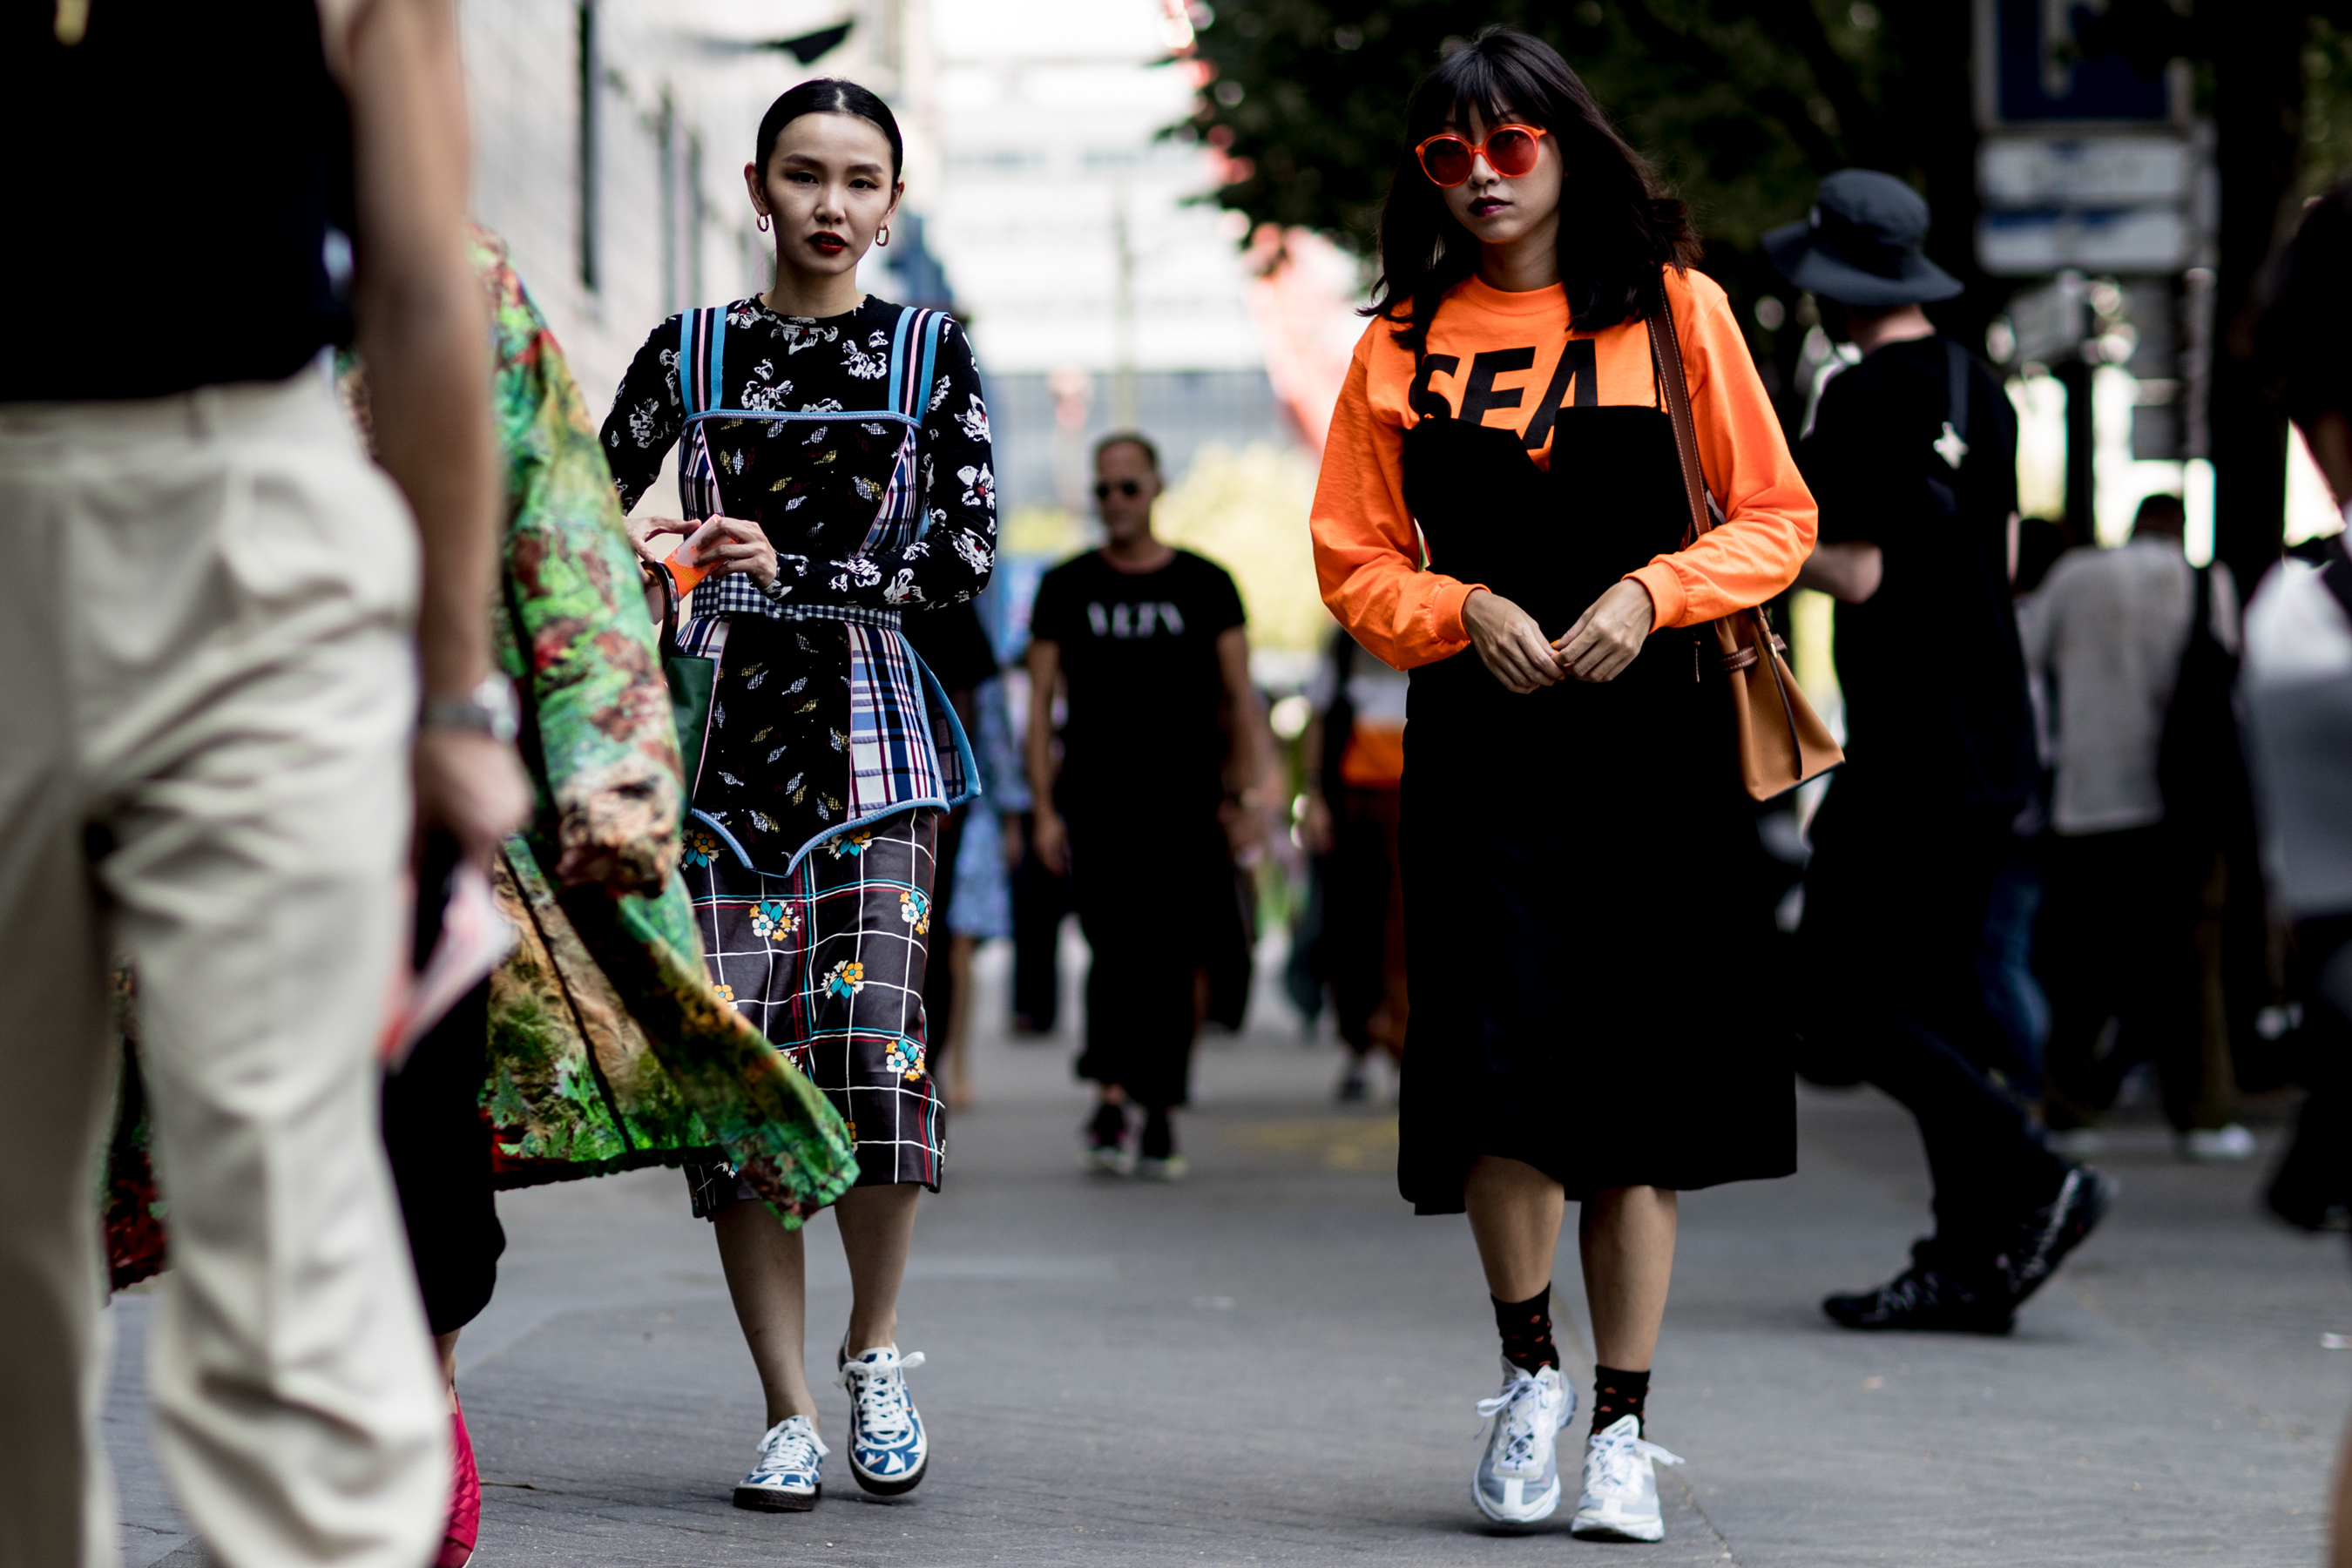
1356	772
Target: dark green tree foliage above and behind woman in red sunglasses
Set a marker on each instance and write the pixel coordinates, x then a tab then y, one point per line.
1742	105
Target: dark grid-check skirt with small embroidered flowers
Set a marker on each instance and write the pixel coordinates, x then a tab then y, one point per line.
829	965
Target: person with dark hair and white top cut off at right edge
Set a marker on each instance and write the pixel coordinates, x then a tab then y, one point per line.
2299	725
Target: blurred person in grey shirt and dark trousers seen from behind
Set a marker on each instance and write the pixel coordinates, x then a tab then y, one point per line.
2134	876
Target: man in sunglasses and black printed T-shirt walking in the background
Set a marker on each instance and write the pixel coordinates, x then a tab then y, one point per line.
1151	798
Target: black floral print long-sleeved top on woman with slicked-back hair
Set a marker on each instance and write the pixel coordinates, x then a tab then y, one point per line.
780	753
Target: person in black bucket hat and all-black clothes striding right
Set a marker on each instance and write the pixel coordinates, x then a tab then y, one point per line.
1911	457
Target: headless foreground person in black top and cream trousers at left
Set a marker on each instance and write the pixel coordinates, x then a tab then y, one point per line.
220	629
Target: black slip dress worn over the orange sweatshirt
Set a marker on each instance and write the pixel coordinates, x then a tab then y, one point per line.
1586	965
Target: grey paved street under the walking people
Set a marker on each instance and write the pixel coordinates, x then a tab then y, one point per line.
1276	1362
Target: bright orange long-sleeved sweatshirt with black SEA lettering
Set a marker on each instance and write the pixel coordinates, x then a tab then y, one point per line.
1368	549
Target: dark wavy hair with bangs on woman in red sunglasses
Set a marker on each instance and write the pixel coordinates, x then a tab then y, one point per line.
1617	227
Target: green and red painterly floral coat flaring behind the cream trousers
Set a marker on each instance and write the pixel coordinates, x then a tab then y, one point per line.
608	1043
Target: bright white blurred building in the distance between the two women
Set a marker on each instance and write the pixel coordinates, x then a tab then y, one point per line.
1102	295
